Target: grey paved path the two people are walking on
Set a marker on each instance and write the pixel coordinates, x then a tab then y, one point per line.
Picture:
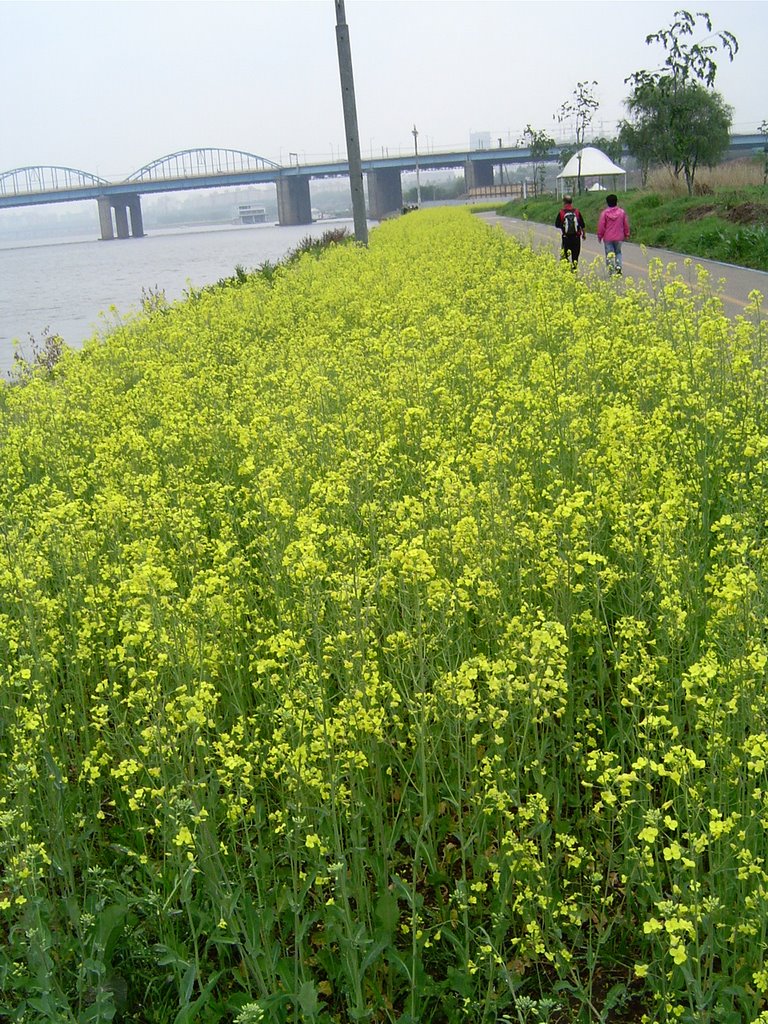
738	281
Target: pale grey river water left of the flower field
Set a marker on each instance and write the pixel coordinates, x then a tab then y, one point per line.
78	288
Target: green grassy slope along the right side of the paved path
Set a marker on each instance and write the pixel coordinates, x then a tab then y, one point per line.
730	226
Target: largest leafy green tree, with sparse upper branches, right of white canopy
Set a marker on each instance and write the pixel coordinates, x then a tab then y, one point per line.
677	119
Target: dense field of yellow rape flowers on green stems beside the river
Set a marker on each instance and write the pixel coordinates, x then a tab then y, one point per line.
386	641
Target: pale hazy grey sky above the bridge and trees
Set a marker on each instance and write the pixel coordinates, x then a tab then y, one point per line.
109	86
